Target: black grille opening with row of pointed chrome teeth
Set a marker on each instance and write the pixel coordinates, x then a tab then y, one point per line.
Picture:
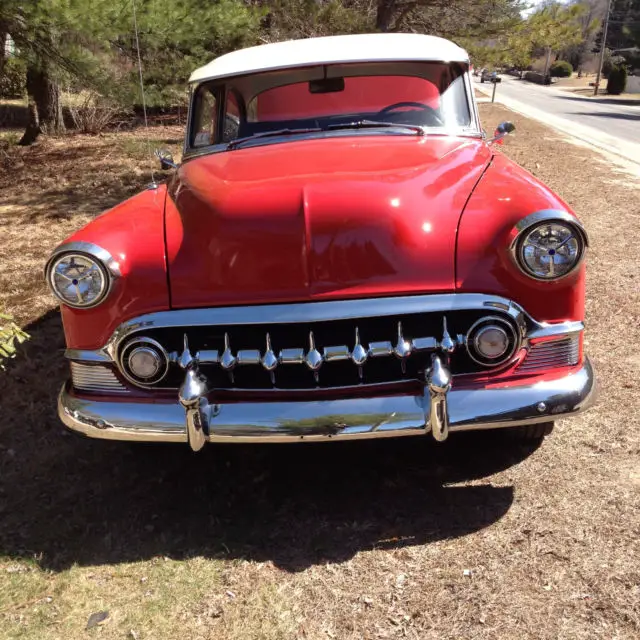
322	354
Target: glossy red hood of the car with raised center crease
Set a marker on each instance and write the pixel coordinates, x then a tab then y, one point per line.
323	218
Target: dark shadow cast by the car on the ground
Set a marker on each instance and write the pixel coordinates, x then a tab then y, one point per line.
68	500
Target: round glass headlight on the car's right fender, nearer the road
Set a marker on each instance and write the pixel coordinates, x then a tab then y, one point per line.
550	250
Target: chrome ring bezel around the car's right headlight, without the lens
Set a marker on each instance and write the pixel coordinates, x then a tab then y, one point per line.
530	223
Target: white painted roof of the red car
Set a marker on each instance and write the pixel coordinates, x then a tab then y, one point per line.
370	47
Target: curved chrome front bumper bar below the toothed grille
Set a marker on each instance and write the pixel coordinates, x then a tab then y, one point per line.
464	409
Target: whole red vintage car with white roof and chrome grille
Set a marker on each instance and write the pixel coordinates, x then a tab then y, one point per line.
342	253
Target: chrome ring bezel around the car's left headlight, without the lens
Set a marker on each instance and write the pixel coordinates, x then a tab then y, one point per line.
109	270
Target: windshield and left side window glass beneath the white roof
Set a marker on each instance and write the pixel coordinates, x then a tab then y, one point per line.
388	98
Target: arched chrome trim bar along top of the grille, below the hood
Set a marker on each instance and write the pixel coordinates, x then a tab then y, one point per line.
323	311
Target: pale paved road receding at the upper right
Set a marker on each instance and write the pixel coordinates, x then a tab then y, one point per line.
609	122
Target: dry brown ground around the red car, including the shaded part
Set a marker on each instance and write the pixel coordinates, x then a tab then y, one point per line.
476	538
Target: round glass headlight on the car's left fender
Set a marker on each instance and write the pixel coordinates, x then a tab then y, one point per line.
78	279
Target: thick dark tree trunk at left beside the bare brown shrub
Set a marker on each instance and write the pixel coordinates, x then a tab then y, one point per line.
45	108
